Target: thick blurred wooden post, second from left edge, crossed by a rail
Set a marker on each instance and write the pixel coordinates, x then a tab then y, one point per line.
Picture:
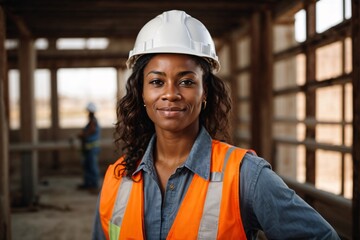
28	133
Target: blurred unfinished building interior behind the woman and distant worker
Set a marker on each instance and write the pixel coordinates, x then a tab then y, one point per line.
293	68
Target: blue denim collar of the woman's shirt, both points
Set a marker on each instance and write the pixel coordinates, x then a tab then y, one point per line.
198	160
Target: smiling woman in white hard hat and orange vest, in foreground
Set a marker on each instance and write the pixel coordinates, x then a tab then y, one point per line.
176	179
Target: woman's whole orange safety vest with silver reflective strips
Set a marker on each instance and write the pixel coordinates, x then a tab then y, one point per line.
210	209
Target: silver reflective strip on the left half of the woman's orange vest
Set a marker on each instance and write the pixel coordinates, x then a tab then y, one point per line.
121	201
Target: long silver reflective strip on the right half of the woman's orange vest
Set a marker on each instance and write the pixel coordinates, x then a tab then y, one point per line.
210	219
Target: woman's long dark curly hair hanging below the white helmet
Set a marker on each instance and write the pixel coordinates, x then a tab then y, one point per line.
134	129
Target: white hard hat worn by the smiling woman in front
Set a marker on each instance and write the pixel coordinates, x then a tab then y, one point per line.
175	32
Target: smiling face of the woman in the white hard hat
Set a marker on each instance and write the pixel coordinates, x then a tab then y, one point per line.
173	92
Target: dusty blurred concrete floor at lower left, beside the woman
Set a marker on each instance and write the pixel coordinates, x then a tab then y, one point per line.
64	213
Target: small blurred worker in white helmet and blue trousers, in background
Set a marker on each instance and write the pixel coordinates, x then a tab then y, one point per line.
90	149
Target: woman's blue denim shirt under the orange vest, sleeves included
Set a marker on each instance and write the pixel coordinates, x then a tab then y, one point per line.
266	203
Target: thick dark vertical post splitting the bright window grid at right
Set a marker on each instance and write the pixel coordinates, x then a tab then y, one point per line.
310	94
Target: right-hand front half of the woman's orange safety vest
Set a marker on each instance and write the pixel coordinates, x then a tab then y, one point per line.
212	203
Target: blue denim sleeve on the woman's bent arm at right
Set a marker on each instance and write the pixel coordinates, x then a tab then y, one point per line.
267	204
